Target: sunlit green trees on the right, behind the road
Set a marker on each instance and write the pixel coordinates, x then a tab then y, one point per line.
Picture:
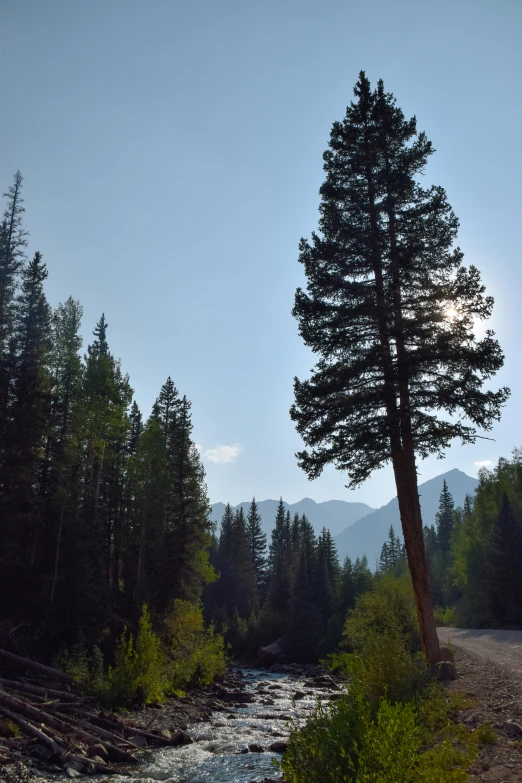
474	552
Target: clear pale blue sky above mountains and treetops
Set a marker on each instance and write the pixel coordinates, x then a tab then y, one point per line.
172	155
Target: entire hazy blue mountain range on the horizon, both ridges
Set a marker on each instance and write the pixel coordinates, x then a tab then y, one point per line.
357	528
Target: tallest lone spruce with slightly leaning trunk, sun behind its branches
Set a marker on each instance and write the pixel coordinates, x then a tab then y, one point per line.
390	310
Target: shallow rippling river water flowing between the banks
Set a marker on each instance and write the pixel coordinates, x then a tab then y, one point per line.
234	746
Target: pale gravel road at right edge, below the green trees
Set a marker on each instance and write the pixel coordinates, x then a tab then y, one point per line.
504	647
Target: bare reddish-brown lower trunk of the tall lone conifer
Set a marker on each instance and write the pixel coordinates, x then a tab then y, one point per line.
410	511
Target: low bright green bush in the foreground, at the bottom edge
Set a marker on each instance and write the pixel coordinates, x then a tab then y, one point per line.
350	743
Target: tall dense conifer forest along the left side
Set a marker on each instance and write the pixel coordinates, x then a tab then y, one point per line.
101	510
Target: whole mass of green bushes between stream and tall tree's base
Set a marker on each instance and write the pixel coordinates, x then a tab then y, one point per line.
392	722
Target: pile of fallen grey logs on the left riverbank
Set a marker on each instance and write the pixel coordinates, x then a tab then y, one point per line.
63	727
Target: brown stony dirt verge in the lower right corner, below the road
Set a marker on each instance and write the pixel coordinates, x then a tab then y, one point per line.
496	692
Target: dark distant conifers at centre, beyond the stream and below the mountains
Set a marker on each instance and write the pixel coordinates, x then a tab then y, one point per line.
293	588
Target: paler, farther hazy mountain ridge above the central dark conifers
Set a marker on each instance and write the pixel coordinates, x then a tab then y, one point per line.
336	515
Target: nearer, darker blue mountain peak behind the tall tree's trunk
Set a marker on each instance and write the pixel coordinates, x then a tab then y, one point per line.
367	535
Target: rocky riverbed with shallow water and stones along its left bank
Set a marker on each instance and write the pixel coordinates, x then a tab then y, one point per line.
235	730
